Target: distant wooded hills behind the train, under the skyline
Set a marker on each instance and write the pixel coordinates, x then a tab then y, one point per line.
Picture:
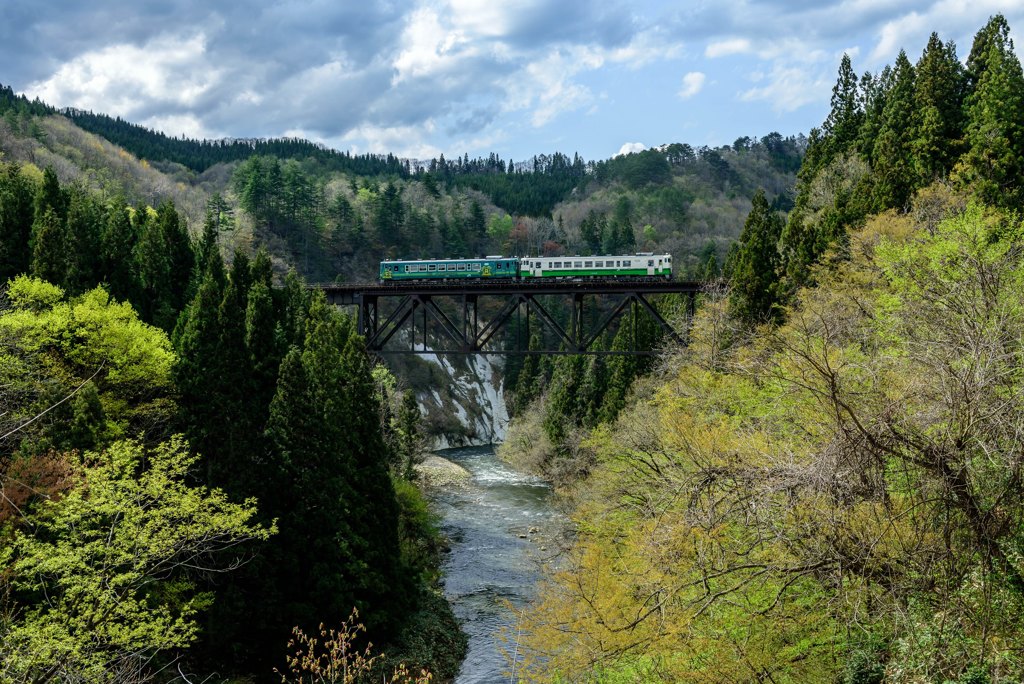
335	216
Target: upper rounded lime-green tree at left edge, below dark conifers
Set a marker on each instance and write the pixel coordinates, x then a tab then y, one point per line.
53	347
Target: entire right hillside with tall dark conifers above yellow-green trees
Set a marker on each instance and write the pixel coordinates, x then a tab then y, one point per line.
826	486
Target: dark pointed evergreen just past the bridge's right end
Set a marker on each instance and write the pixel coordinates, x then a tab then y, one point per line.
755	267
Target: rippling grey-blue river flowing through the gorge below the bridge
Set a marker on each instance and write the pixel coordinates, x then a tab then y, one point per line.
501	527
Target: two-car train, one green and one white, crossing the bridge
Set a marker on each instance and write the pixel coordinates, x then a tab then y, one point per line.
642	265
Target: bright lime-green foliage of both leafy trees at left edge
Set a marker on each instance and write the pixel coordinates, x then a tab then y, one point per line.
100	537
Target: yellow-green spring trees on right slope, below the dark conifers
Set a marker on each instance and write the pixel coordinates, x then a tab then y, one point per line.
838	500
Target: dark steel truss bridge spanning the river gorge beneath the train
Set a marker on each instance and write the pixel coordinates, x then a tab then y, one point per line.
448	317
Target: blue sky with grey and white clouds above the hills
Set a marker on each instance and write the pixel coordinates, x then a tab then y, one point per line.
423	78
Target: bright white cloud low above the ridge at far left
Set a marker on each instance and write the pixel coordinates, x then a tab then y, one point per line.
121	79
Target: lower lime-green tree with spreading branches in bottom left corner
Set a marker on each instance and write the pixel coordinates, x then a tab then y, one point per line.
102	568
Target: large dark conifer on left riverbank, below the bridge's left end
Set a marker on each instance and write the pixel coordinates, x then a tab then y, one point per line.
338	519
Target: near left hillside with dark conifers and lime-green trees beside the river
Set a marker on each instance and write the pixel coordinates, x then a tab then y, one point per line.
196	459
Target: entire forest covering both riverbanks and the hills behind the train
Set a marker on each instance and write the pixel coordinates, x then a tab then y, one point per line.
825	485
